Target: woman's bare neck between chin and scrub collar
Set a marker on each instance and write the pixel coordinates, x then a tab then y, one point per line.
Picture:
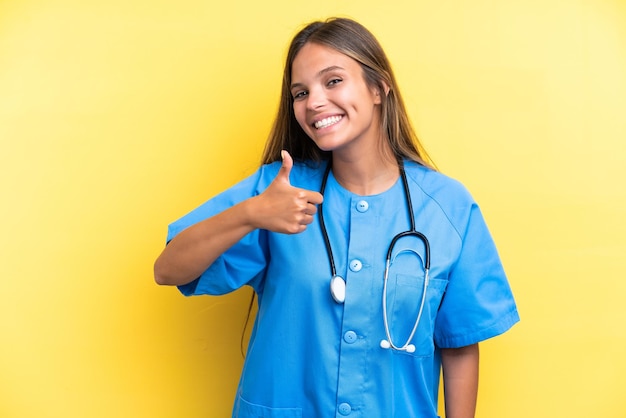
366	175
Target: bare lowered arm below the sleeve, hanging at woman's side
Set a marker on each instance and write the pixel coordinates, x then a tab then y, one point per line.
460	380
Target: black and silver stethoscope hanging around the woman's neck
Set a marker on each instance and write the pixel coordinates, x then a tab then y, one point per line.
338	284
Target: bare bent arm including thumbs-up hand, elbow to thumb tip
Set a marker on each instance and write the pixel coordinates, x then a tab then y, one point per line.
280	208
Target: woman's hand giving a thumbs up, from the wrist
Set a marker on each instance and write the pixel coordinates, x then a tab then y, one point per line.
284	208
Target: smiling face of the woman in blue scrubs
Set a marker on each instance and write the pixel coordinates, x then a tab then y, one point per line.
332	102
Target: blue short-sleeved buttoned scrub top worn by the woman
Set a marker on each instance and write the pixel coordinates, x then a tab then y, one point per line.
312	357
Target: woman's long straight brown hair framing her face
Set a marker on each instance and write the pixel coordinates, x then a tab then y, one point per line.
355	41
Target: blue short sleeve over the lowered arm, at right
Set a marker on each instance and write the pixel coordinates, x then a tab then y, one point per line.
478	303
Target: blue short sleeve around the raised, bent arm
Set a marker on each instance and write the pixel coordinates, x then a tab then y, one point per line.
244	262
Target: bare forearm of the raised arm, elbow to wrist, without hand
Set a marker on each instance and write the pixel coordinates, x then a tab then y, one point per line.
192	251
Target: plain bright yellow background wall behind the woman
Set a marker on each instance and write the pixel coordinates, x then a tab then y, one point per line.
119	116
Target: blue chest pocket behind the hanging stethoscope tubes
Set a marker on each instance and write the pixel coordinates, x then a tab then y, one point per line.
405	297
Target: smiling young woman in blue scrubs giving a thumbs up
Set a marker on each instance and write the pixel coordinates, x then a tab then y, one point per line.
373	271
